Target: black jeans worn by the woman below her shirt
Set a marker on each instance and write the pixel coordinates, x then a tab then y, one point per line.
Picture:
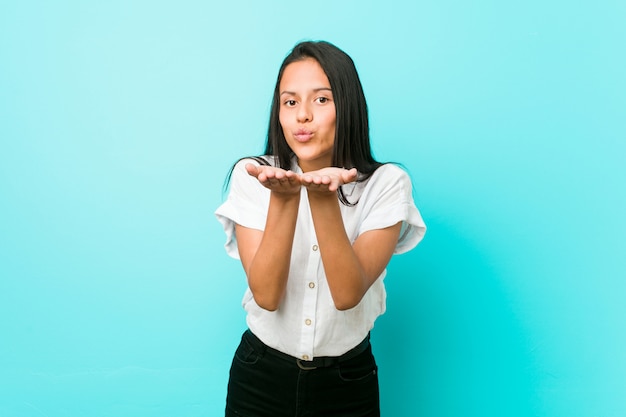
267	383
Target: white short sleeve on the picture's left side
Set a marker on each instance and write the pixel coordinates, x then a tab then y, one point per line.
245	205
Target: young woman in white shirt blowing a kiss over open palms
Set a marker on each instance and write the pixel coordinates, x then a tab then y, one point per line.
314	222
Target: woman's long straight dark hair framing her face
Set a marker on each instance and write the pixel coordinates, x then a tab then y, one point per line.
352	141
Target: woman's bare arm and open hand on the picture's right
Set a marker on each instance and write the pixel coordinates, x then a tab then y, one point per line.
350	268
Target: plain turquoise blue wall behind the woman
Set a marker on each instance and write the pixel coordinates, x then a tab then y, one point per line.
120	119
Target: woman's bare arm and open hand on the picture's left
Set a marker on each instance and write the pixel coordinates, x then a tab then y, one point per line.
265	255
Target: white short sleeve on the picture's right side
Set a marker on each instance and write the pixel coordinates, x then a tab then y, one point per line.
388	199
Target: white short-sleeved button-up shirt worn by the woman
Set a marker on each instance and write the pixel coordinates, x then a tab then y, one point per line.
307	324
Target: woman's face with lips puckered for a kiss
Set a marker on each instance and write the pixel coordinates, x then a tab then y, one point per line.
307	113
